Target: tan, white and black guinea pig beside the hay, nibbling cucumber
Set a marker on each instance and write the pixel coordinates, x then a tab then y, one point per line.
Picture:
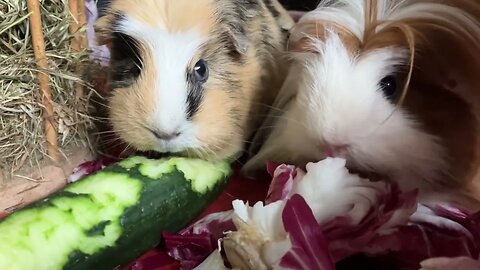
191	77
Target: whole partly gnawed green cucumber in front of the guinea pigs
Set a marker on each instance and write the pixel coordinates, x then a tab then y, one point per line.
111	217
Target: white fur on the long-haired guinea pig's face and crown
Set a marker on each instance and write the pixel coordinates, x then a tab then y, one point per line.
339	102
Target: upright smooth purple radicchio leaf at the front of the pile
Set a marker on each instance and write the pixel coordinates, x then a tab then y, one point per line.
309	248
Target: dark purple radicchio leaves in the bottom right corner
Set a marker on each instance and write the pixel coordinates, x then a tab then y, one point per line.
433	231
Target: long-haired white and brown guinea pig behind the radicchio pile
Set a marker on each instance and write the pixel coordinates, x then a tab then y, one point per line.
391	86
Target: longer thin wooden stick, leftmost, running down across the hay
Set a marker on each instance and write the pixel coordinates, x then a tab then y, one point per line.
43	78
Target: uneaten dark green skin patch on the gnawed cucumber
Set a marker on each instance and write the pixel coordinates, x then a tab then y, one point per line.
177	205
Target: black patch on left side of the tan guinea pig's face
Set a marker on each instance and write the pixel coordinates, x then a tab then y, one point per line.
125	59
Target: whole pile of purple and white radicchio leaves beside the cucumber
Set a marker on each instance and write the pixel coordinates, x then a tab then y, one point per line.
315	218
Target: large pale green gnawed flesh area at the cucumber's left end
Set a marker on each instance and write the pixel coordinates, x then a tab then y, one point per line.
43	237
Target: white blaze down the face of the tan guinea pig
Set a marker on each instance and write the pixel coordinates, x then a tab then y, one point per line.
172	53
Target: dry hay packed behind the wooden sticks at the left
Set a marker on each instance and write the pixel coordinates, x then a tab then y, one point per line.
22	141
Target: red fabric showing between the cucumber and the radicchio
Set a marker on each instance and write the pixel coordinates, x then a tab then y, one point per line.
251	190
